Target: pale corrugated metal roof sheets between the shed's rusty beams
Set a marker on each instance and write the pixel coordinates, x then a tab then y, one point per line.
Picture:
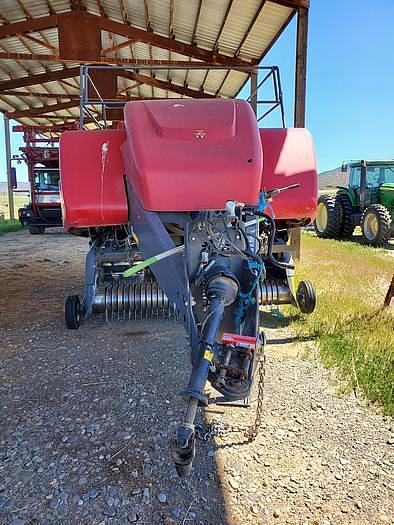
235	28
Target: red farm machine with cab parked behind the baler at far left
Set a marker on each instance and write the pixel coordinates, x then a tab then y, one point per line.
41	154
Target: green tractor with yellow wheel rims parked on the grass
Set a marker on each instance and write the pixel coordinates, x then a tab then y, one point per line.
368	202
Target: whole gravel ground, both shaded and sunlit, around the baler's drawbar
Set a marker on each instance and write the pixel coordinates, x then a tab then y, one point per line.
86	418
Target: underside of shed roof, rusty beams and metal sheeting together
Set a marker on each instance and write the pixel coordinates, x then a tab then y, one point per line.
44	51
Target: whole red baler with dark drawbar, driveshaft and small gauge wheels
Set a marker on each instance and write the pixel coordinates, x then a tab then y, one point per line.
167	240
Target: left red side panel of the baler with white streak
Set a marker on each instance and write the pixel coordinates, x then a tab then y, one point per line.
92	179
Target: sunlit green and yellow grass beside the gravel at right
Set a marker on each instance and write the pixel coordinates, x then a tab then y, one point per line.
355	334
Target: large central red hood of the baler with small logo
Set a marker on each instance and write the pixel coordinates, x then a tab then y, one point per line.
190	155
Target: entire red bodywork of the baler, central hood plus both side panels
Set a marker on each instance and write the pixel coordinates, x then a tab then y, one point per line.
184	155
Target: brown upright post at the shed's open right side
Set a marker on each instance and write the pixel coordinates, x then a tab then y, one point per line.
300	74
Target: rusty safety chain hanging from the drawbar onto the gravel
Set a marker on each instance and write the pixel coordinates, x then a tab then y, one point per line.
218	428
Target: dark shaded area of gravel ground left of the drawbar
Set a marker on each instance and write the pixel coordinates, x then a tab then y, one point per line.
87	415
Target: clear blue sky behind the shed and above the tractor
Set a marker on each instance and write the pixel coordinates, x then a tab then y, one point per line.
350	95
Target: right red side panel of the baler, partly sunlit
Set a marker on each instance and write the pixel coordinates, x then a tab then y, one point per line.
289	158
